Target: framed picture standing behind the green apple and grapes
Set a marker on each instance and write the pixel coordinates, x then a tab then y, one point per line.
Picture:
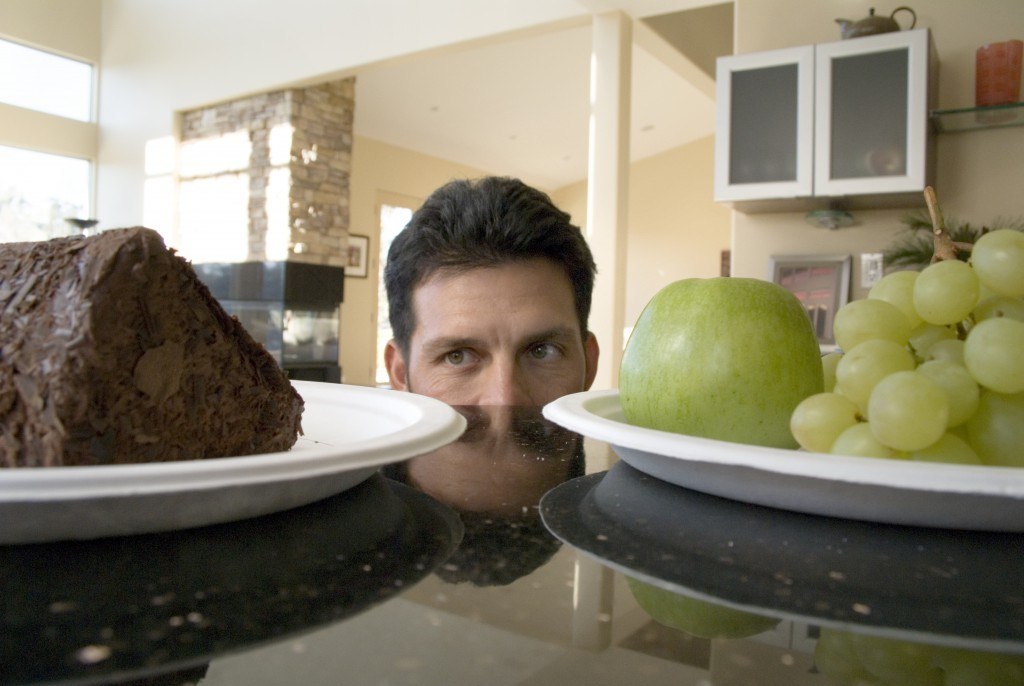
822	283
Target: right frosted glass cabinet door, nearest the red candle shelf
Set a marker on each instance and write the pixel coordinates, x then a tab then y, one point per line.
872	116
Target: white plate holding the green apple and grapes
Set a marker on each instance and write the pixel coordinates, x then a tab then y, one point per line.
886	491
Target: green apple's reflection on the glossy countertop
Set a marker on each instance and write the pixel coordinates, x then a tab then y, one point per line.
698	618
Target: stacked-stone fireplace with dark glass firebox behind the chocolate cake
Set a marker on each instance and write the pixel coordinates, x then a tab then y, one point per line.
263	211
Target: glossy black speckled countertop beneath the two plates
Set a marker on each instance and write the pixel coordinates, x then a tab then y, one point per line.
521	554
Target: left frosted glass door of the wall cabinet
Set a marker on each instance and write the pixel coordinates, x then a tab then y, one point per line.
765	117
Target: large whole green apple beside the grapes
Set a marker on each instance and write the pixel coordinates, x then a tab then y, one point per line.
727	359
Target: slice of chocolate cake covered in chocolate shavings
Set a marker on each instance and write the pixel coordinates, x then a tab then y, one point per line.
112	352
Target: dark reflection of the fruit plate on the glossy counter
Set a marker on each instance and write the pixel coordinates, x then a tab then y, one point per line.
935	586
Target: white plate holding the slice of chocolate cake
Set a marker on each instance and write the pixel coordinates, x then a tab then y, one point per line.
350	433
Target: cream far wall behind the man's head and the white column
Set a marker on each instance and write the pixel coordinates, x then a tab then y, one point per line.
675	229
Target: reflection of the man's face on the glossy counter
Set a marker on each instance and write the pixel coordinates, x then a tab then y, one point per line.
503	464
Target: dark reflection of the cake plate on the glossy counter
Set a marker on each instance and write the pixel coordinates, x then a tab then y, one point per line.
120	609
